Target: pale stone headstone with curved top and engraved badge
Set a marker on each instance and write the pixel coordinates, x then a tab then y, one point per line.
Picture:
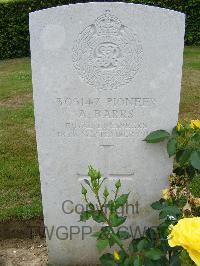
104	76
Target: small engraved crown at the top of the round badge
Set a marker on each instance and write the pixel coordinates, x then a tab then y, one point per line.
107	24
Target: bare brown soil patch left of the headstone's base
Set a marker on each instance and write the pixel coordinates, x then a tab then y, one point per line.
23	252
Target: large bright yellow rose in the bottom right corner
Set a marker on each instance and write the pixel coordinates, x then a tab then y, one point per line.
186	233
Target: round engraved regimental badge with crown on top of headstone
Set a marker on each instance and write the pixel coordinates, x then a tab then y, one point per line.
107	54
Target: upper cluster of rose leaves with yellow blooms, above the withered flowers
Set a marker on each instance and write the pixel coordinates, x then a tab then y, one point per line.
183	143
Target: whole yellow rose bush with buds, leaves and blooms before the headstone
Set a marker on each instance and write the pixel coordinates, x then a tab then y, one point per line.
159	245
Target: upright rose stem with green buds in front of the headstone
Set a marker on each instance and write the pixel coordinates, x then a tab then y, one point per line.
107	235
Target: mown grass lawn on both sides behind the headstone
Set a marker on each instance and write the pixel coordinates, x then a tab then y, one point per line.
19	175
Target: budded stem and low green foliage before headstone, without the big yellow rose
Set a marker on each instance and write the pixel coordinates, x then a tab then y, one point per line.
151	249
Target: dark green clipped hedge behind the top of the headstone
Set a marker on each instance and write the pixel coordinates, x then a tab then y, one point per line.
14	33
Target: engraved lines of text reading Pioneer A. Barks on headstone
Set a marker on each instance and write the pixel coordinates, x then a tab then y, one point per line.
103	117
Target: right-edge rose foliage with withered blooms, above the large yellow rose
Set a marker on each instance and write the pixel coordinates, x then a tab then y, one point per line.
184	144
